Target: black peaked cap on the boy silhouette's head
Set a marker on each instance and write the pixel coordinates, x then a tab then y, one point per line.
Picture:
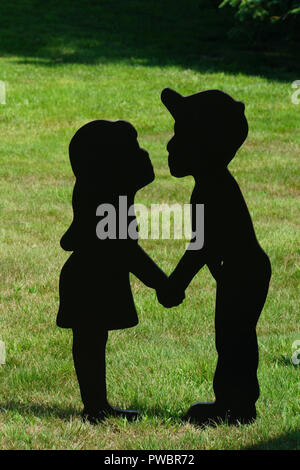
205	102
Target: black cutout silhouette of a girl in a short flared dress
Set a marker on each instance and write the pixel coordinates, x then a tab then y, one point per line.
95	294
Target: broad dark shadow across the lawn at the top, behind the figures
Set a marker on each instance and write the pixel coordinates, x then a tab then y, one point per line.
186	33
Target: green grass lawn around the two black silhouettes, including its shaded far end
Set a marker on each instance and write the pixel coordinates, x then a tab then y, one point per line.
69	62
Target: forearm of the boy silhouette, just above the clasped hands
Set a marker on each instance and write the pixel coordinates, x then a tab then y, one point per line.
189	265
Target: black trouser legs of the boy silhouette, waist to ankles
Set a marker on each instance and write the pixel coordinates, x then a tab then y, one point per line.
238	307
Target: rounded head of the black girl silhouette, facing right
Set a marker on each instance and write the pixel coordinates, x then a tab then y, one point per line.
107	155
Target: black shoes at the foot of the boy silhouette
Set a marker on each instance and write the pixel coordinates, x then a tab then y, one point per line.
212	414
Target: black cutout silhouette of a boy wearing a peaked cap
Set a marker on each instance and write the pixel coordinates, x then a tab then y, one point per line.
209	128
